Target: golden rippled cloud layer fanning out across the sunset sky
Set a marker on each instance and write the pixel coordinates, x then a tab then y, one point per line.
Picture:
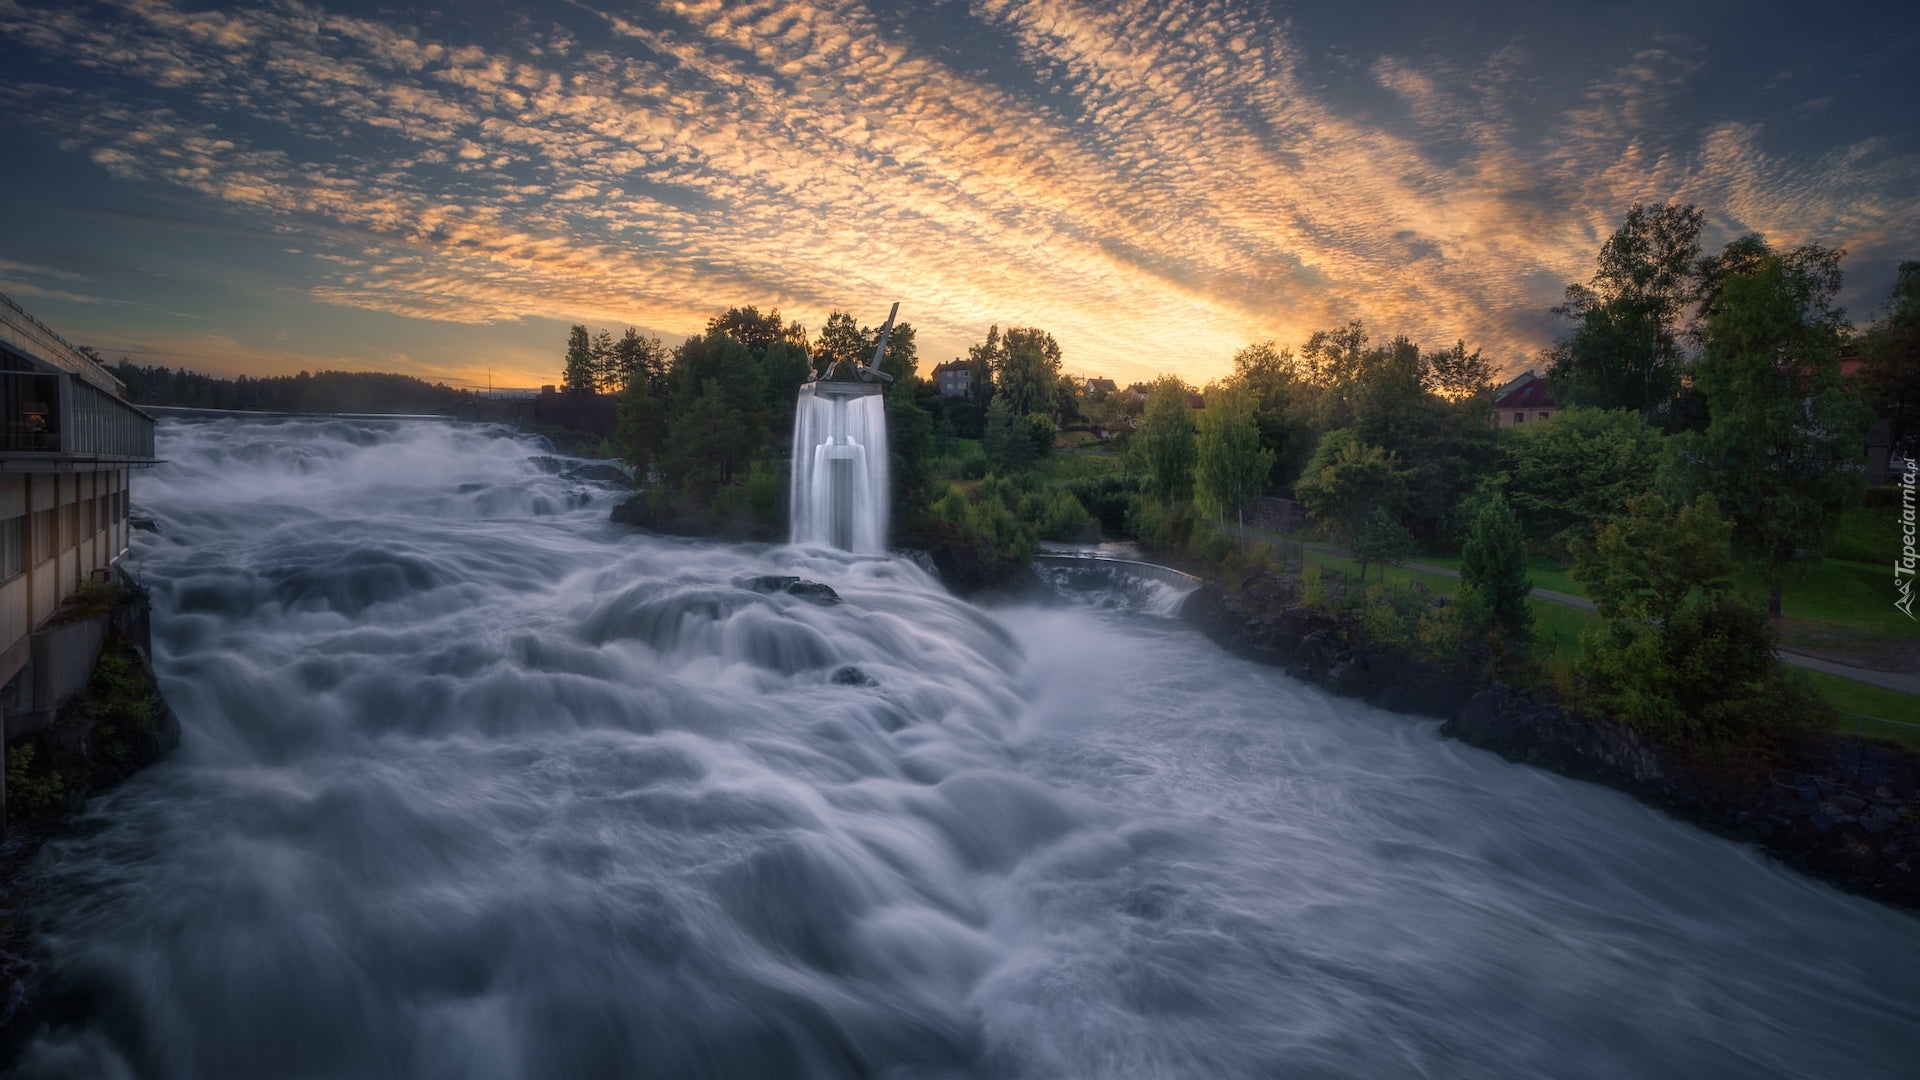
1157	184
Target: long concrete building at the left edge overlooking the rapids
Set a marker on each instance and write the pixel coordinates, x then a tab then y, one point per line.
70	443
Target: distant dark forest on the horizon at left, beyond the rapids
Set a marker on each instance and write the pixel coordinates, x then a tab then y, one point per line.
306	393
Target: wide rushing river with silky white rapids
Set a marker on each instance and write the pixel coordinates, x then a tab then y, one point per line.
475	785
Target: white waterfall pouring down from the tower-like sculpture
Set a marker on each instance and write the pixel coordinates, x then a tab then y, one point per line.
840	468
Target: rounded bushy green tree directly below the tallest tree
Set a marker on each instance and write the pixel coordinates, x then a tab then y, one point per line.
1570	476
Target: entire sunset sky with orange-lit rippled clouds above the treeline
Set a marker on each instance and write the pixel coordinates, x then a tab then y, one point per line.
444	191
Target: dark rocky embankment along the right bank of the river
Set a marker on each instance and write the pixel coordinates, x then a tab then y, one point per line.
1842	810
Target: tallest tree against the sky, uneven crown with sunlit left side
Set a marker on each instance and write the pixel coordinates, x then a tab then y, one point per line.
1627	322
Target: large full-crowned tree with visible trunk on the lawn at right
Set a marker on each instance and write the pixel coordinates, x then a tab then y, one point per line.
1785	435
